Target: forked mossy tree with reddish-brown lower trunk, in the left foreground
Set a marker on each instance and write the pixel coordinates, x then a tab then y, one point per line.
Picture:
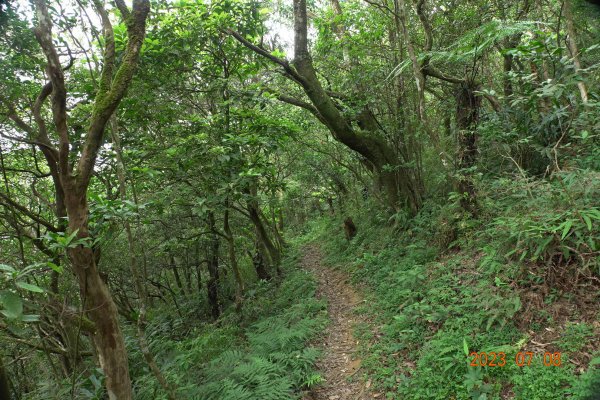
74	172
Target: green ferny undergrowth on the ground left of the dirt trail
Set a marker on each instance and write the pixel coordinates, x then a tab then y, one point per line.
263	353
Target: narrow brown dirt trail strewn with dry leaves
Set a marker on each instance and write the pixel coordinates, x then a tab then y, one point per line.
338	363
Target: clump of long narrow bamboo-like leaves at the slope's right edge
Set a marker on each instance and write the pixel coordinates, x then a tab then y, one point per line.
560	224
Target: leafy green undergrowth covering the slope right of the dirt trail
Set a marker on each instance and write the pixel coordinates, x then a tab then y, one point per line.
515	280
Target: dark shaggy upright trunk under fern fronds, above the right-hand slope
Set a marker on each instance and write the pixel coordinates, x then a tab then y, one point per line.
467	116
